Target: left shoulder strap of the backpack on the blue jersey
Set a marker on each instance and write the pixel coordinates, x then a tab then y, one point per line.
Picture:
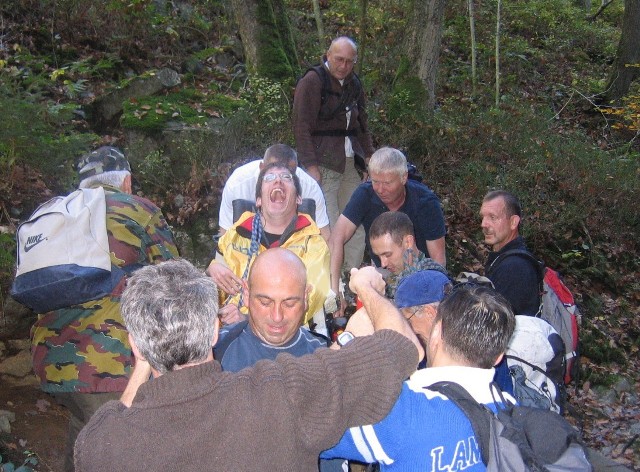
477	414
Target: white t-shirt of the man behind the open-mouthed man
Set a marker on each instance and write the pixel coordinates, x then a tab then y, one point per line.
241	184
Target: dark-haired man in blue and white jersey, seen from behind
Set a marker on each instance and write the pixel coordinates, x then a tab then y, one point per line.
424	430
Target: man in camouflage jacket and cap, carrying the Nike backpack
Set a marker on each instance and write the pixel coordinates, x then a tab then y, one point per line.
81	353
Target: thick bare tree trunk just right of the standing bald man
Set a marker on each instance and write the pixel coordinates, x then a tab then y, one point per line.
423	44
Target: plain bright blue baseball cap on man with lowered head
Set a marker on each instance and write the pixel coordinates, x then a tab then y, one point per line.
421	288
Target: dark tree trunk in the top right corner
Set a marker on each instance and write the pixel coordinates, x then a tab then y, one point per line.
625	69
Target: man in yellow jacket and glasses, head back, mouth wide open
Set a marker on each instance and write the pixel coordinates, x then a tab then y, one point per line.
276	223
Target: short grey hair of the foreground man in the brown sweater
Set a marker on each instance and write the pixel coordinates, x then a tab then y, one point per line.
170	310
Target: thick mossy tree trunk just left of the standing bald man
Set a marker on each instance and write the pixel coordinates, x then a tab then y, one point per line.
266	37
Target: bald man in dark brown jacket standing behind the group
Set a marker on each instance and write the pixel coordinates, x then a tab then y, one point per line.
331	131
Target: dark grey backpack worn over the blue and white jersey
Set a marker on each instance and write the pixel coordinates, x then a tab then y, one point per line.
519	438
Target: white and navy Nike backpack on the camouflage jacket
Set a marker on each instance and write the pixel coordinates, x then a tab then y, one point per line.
63	253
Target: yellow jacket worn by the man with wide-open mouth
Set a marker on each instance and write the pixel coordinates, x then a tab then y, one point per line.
303	239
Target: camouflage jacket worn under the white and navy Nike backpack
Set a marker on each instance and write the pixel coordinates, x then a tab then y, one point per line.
84	348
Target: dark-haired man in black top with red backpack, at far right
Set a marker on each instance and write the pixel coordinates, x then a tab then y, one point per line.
514	276
